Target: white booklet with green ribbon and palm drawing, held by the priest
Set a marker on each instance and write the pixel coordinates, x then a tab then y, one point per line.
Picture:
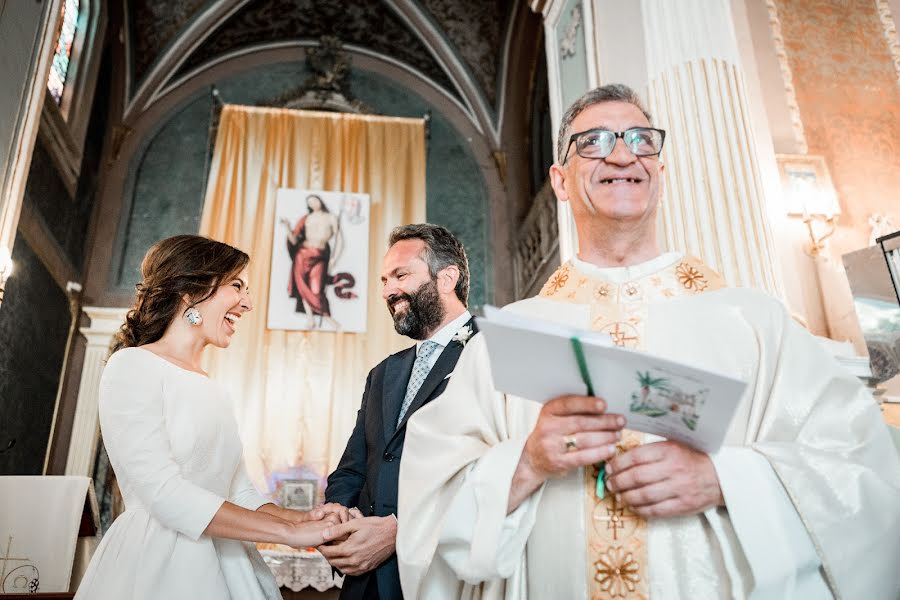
538	360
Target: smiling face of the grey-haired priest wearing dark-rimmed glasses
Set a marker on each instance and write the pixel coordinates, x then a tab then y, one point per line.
621	187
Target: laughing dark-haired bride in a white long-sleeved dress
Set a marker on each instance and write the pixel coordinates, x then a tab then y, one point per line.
190	509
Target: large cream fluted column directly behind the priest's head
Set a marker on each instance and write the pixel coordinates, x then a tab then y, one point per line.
714	206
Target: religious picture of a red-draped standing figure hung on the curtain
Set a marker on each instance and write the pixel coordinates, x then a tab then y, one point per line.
320	256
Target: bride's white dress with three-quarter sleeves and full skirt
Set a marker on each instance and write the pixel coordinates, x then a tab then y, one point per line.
173	442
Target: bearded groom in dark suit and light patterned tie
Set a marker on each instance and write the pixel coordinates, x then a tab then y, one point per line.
425	282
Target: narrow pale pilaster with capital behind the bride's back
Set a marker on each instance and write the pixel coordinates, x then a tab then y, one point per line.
105	322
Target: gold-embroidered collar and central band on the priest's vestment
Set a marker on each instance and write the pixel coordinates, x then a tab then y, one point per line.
616	537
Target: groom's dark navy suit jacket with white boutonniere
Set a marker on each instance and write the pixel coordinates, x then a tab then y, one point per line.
368	473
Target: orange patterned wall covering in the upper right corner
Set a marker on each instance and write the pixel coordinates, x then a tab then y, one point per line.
849	101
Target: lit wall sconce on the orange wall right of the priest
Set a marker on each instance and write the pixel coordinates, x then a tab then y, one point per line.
808	193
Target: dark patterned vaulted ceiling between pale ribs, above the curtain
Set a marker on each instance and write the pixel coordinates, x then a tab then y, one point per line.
474	28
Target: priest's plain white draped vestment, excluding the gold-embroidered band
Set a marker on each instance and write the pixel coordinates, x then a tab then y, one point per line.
810	477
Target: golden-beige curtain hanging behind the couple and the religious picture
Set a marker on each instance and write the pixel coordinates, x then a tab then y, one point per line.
296	393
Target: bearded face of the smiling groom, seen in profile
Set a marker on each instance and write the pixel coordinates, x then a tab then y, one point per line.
411	293
